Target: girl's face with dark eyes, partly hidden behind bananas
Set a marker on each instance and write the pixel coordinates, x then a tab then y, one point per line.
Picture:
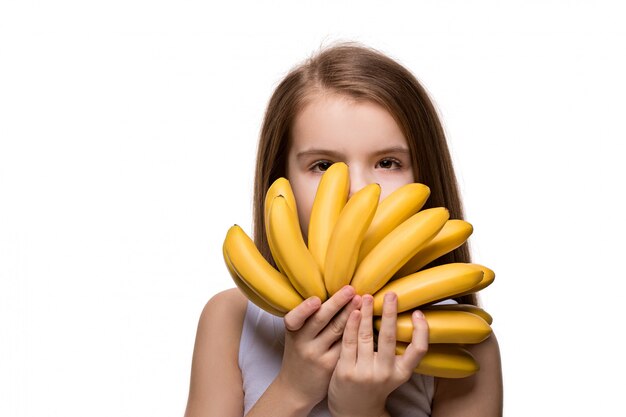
334	128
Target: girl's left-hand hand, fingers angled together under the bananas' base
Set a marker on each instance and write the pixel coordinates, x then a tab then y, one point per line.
312	332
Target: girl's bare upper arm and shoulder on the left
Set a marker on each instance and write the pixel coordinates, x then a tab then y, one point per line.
216	387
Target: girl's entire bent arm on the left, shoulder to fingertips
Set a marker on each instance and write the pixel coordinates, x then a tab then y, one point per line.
310	356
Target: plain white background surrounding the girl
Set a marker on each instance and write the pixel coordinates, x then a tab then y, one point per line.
127	140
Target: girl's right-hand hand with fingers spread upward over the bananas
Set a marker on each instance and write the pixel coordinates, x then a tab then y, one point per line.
363	379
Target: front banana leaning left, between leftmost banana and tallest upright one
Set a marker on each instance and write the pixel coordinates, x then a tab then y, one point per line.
291	252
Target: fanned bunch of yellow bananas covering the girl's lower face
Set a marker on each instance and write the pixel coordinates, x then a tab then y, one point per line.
376	248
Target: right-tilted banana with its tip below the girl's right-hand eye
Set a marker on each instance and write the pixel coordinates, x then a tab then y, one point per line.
392	211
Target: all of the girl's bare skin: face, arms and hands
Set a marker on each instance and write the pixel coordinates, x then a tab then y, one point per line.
329	347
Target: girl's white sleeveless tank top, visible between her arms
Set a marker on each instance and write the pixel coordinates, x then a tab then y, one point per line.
260	357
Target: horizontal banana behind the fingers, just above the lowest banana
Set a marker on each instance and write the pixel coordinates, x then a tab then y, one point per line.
443	327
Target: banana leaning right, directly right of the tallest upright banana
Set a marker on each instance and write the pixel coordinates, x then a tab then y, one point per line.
344	244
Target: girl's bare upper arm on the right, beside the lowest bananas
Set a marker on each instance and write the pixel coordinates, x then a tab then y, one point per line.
477	395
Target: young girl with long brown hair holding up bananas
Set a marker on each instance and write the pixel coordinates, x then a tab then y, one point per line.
351	104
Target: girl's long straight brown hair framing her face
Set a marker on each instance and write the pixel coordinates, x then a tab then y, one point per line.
360	73
